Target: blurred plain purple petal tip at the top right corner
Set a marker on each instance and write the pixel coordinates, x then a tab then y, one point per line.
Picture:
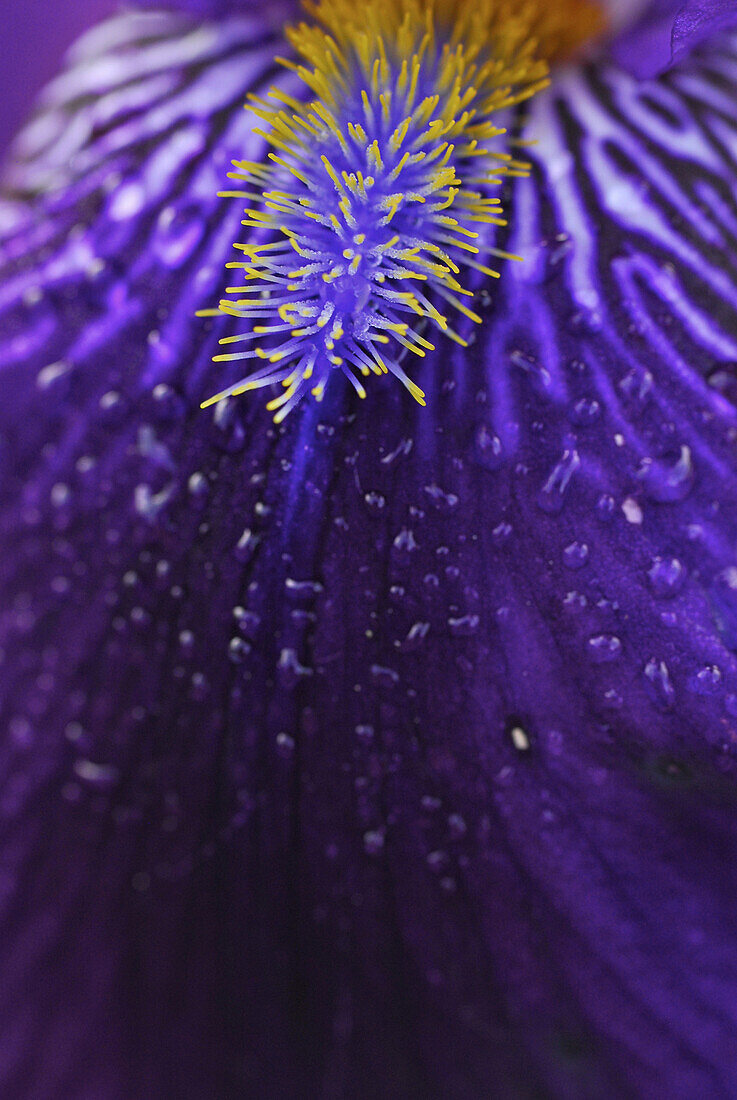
668	31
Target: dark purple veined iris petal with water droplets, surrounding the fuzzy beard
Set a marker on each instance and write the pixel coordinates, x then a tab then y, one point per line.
388	752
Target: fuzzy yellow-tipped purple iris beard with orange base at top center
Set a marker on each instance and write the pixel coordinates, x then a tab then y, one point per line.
380	190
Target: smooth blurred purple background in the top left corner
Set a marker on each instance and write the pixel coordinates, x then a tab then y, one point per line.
36	35
